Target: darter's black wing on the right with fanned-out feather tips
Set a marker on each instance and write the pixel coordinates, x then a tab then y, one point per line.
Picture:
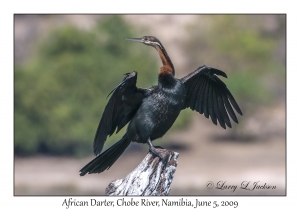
207	94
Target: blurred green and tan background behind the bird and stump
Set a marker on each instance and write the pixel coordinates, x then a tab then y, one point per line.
65	66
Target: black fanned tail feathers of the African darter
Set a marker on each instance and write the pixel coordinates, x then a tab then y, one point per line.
106	159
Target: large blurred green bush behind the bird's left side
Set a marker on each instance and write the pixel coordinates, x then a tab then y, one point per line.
61	93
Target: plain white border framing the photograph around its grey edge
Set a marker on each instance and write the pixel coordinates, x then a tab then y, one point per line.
8	201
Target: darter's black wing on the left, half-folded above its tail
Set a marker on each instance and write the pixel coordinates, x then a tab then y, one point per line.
122	105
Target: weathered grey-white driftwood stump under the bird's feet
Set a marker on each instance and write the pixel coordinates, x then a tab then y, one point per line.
151	177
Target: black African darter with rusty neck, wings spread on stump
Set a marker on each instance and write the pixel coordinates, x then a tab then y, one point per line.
150	112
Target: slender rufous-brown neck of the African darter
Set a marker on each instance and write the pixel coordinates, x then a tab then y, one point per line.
167	67
